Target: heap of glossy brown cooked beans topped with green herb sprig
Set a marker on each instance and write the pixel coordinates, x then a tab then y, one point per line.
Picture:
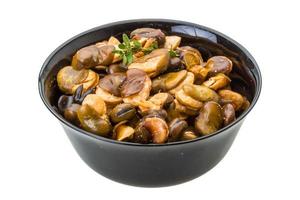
148	89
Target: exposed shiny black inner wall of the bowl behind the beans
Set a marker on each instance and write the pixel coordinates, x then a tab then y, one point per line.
245	75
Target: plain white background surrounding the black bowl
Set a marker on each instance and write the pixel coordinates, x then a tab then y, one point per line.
37	160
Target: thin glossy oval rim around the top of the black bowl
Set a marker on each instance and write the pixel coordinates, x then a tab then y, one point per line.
258	79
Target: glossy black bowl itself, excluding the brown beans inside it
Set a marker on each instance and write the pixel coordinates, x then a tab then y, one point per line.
154	165
